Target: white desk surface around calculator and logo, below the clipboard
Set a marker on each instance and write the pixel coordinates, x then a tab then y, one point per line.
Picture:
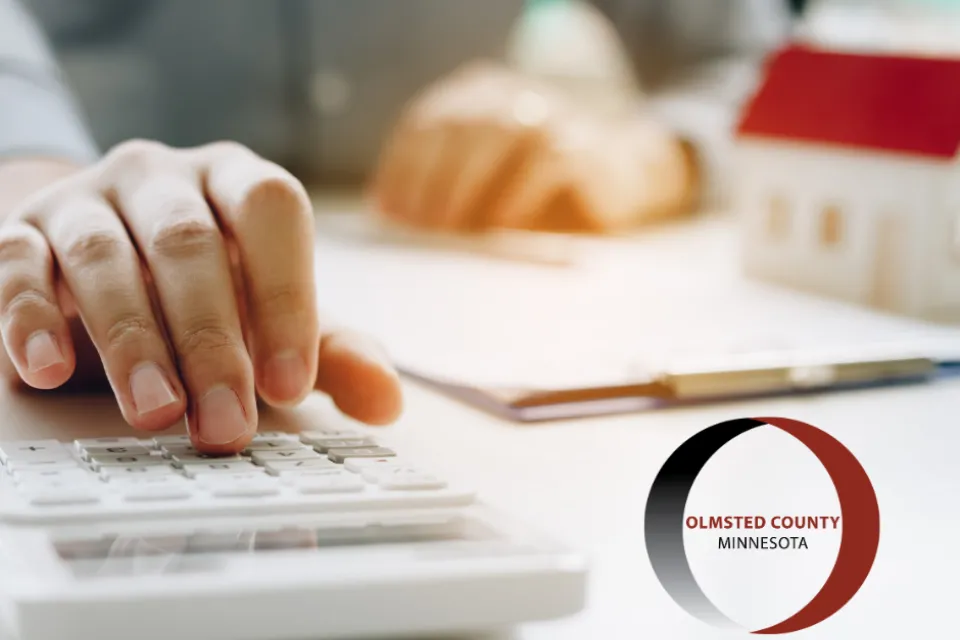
586	482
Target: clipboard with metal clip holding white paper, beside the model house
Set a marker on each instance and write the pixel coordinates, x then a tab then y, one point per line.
637	323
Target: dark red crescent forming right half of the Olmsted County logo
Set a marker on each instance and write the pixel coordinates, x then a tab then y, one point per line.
861	526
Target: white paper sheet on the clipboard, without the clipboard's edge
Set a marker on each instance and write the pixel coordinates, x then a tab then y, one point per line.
628	308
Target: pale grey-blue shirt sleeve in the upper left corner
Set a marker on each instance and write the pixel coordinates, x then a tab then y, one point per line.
38	116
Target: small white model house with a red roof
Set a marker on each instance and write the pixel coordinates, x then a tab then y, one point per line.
849	182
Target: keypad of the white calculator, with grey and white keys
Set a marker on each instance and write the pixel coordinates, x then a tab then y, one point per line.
328	469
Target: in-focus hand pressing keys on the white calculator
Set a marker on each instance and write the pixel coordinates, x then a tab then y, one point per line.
193	274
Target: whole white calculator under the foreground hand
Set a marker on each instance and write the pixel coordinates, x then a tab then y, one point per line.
323	534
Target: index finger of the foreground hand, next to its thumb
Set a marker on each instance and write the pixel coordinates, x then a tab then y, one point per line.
265	211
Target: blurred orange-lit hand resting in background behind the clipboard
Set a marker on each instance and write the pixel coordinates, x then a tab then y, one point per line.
489	148
